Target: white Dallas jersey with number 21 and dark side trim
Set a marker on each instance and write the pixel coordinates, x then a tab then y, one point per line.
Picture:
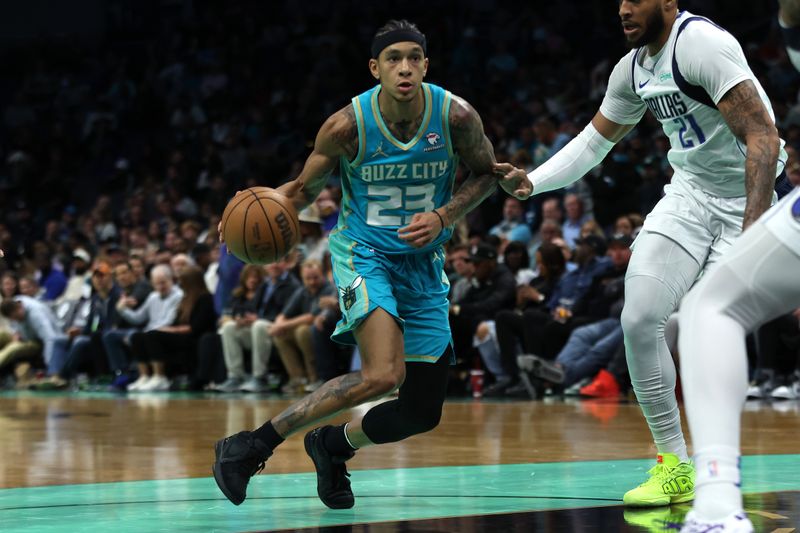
681	86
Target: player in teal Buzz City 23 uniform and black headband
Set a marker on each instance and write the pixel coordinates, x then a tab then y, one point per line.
397	148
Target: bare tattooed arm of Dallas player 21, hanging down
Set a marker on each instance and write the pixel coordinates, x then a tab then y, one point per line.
748	119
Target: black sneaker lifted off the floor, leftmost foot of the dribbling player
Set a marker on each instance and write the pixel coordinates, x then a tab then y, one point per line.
238	458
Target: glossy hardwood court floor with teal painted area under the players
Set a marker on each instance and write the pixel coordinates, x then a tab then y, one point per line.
99	462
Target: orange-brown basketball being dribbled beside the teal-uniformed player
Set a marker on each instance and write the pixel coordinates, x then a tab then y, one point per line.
260	225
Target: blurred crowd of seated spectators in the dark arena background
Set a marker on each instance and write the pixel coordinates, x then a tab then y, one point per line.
119	155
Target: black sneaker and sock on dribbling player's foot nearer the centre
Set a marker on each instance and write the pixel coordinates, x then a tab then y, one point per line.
333	485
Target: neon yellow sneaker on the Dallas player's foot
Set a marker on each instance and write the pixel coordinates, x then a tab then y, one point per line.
671	481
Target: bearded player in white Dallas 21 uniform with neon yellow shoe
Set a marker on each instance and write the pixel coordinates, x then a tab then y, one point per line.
725	151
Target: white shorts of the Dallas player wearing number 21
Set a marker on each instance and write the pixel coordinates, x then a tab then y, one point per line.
701	223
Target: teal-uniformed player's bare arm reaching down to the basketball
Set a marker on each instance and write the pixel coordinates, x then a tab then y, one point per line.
338	136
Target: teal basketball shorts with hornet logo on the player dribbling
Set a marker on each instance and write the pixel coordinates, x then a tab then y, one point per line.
412	288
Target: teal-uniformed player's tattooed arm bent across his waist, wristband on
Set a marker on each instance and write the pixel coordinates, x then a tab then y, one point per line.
475	149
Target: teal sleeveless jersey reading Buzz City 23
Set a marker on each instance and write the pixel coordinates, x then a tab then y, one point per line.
389	181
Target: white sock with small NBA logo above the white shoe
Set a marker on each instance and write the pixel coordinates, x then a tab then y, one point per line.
718	486
